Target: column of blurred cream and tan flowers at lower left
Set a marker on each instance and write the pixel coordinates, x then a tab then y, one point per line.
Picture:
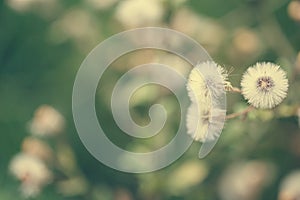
32	166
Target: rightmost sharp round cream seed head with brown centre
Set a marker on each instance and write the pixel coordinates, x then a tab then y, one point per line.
264	85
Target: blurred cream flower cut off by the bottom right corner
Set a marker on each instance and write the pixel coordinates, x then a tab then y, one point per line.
290	187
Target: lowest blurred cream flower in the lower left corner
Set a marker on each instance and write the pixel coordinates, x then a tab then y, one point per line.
32	173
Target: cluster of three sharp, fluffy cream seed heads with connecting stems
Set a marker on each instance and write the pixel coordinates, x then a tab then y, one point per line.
263	85
